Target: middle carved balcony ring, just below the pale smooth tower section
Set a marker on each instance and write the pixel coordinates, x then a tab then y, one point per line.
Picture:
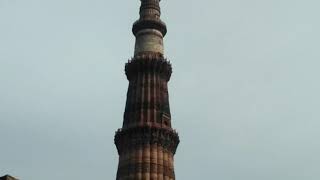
148	63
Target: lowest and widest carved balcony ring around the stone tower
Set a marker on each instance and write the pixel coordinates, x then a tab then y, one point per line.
140	136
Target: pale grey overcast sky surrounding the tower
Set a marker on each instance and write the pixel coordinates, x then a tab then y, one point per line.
244	93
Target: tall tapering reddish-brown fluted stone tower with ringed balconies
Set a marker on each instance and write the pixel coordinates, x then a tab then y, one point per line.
146	143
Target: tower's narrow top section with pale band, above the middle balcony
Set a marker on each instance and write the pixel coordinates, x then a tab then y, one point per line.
149	30
